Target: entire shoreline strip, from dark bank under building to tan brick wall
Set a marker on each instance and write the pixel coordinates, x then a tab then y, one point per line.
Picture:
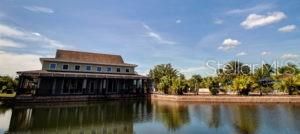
162	97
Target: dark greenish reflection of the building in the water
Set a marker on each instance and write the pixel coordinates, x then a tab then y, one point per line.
104	117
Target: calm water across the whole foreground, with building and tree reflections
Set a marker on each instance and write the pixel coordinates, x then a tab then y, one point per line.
154	117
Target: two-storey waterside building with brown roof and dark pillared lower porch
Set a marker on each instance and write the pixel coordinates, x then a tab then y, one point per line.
82	73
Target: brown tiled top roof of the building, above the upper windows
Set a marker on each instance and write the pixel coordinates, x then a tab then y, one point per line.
88	57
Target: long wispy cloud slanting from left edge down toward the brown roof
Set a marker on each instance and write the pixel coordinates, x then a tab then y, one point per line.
18	36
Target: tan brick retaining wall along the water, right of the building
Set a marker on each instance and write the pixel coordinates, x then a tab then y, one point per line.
227	99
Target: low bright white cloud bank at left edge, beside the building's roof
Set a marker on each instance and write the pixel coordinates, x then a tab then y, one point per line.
18	62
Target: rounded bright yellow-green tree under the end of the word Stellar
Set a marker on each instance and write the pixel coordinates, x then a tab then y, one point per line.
242	84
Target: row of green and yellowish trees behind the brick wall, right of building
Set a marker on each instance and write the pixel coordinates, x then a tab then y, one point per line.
234	77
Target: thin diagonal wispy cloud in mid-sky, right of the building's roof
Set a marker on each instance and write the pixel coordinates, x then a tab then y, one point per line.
156	36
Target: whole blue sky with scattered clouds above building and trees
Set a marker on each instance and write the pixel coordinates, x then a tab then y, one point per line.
192	35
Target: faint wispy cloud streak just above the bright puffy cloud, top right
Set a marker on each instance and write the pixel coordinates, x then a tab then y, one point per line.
255	9
